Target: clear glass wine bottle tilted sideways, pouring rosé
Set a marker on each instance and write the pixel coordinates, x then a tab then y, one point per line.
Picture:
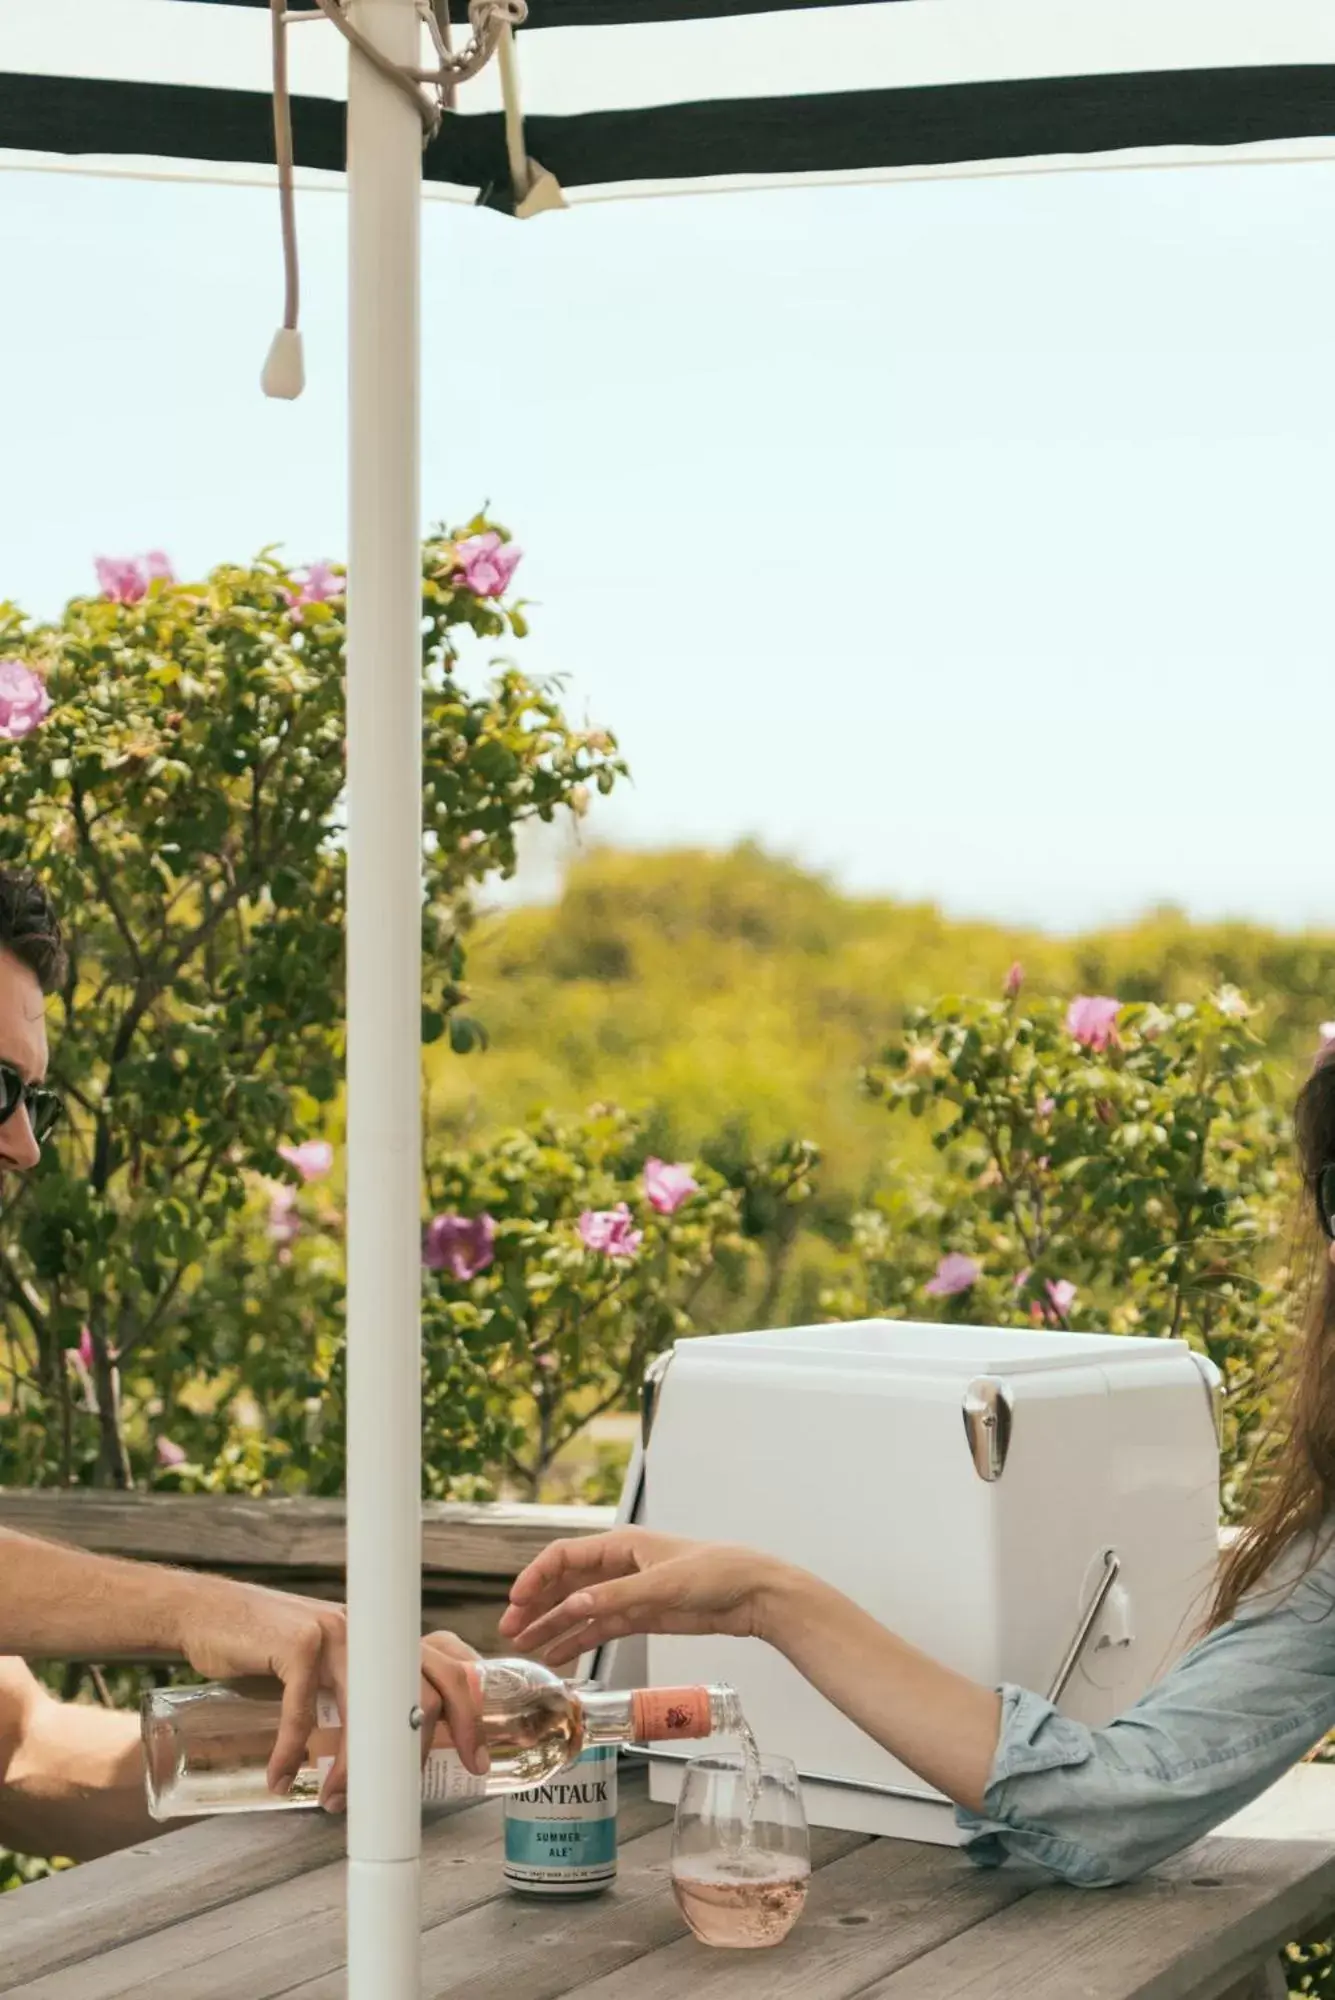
209	1749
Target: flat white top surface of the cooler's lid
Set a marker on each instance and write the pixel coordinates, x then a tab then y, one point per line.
912	1347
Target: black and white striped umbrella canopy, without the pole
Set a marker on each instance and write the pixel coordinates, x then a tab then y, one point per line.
651	95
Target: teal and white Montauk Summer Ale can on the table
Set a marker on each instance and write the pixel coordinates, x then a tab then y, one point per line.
561	1839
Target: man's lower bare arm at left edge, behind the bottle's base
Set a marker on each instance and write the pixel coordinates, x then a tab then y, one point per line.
71	1777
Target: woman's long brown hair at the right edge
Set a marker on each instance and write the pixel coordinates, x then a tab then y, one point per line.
1300	1491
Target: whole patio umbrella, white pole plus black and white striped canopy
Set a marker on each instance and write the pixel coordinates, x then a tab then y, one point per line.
621	97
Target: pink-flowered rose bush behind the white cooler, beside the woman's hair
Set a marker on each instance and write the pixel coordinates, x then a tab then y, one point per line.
1120	1169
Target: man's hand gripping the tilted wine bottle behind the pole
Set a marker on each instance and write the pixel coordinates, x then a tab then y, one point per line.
227	1631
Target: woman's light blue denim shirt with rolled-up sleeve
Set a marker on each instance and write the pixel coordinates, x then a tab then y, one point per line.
1102	1805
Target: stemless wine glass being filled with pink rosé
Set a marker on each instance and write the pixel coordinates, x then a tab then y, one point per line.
740	1865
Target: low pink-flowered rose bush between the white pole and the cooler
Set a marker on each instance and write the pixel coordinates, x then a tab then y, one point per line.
597	1257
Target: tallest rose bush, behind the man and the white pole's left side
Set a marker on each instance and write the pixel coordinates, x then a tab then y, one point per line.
173	761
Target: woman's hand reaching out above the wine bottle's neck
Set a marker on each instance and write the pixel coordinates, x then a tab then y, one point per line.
585	1593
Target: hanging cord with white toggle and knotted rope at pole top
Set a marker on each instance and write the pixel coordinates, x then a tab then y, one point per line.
493	25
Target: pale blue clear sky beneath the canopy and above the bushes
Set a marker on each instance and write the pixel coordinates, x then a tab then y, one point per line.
964	541
